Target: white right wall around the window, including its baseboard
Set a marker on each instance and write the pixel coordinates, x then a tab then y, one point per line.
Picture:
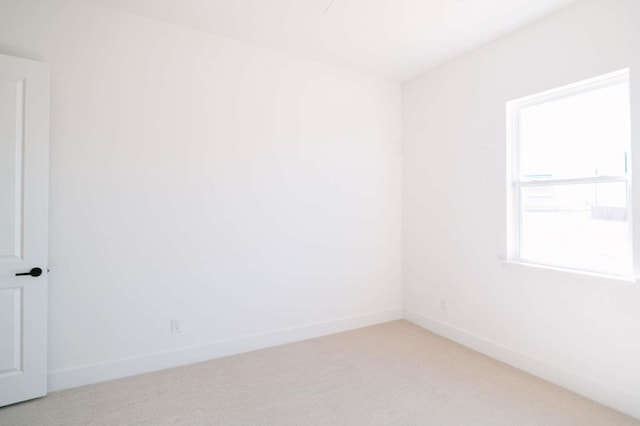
578	331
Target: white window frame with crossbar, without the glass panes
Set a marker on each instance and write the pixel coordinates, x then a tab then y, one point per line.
515	183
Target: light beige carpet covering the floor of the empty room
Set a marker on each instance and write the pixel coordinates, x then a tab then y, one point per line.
389	374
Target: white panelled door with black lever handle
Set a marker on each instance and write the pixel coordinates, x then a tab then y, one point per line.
24	181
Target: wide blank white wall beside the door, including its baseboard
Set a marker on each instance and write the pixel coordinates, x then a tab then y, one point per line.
252	195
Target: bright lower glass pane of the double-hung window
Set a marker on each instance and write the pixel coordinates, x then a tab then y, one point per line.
582	226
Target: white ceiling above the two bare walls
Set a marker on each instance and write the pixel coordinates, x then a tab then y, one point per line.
393	39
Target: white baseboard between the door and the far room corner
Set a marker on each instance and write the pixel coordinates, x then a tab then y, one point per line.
88	374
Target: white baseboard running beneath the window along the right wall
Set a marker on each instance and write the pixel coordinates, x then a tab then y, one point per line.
583	385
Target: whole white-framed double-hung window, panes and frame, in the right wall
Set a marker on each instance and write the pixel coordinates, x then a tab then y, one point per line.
570	177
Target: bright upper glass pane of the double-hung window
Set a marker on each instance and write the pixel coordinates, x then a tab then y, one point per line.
576	136
